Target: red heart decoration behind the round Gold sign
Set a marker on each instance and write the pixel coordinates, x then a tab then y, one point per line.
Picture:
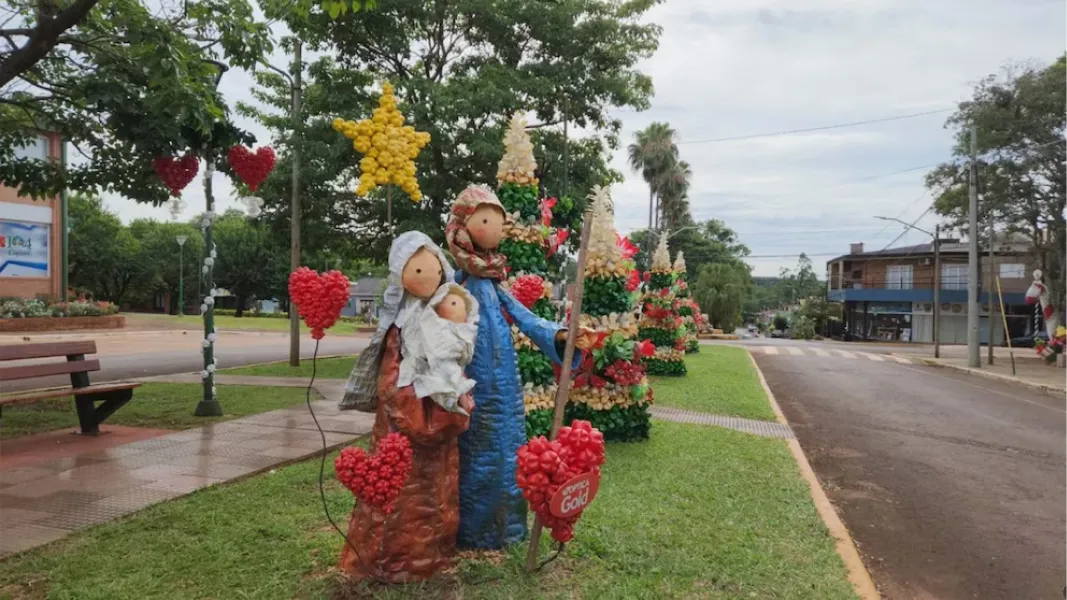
545	466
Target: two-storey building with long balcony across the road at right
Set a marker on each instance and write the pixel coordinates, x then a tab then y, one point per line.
888	295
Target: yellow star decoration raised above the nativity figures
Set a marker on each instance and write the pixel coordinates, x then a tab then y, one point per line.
389	148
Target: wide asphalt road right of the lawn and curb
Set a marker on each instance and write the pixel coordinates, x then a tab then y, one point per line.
953	487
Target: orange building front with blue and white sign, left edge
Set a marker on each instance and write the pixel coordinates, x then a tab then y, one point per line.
31	234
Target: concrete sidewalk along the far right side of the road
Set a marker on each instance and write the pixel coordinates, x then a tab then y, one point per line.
1030	371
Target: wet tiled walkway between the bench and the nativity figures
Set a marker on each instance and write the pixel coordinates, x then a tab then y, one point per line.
51	500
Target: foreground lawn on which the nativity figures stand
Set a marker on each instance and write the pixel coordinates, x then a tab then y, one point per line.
695	513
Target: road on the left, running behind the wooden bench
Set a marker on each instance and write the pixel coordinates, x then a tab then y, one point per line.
137	356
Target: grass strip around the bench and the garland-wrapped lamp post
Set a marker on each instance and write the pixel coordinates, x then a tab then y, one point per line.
161	406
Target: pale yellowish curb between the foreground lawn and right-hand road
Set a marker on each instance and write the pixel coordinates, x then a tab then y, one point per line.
858	574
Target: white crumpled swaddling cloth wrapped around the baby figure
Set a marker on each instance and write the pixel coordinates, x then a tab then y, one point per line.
436	351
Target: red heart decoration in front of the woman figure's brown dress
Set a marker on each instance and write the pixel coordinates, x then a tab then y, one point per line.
379	478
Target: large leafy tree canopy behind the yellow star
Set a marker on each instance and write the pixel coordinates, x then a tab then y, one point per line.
460	71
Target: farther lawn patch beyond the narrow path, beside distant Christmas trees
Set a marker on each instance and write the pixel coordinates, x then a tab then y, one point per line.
722	381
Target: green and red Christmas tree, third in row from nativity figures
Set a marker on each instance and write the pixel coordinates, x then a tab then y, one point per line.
661	324
